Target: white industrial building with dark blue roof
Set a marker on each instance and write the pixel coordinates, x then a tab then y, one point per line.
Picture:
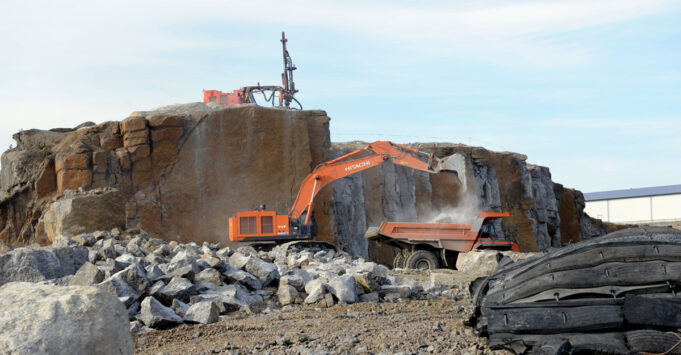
659	205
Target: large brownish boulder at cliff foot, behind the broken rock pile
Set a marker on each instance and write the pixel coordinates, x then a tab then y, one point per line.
85	213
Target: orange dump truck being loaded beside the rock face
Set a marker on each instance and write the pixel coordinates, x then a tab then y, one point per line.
432	245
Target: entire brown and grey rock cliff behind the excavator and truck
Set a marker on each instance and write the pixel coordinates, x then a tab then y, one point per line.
184	169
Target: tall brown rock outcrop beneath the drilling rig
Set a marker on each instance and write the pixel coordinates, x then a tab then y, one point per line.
183	169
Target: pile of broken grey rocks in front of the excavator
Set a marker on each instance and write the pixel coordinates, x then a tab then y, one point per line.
163	284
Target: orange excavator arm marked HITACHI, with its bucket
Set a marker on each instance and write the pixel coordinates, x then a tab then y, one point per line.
378	153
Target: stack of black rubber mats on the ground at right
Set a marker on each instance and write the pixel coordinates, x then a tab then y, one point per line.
615	294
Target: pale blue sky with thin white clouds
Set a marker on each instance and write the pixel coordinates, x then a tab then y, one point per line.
591	89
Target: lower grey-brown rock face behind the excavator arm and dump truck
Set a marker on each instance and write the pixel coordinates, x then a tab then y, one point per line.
543	214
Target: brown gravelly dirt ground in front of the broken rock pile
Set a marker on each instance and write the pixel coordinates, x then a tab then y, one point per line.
404	326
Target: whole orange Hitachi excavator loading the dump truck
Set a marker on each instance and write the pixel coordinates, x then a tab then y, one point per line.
262	225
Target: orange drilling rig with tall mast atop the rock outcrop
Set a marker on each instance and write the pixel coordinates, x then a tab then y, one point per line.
271	93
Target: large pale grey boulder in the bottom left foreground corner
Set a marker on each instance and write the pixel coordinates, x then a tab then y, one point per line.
41	319
